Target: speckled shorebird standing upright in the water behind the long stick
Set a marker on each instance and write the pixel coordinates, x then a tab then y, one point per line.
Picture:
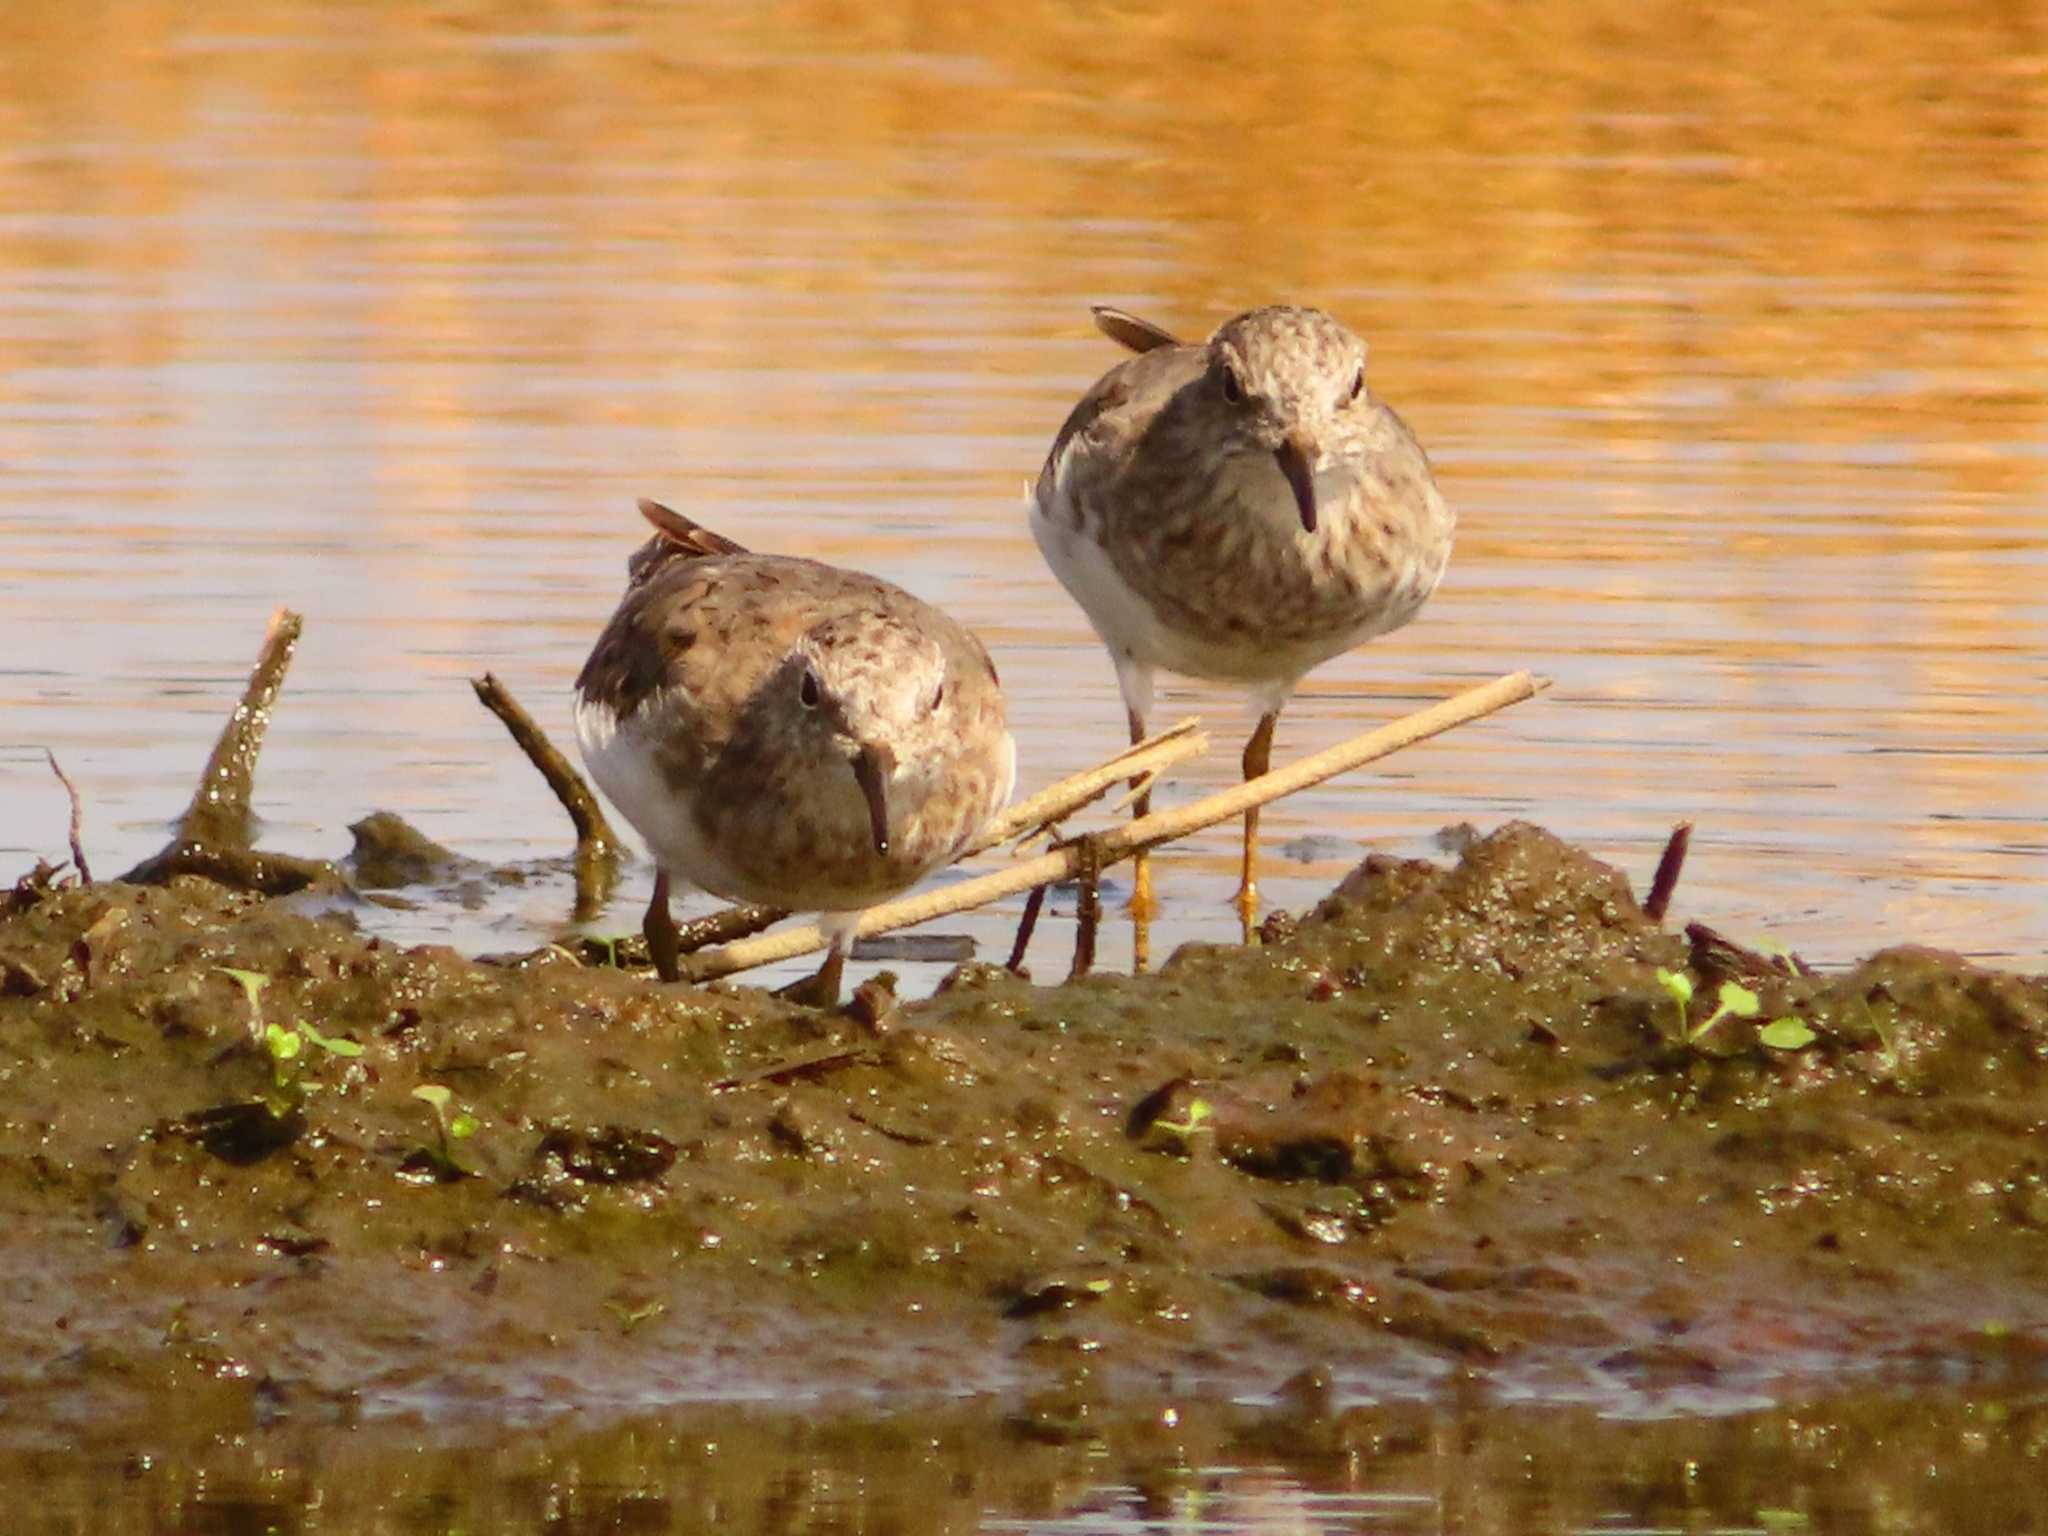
1238	511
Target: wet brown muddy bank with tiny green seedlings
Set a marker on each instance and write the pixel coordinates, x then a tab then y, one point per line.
1449	1129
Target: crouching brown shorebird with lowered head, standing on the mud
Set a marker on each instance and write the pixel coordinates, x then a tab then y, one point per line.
787	732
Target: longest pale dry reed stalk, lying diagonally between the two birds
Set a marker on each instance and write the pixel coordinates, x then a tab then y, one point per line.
1146	833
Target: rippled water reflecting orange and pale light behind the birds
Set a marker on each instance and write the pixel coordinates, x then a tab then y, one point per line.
1725	329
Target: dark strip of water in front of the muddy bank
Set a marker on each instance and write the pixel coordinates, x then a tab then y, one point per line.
1936	1463
